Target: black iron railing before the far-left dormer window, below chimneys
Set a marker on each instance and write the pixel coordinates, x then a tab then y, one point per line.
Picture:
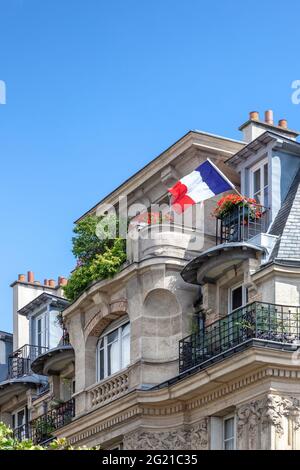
19	362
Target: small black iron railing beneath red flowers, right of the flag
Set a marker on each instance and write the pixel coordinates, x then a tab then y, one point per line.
241	224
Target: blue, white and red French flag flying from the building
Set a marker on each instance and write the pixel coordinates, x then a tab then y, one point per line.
203	183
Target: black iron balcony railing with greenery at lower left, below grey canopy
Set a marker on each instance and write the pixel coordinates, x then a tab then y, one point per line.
42	428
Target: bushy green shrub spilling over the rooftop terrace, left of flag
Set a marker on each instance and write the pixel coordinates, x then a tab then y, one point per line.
97	258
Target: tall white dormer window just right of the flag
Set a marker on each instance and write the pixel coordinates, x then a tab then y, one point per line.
259	183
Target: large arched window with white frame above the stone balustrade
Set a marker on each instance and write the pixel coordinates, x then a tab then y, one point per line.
113	350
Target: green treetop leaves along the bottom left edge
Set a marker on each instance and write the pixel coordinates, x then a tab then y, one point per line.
8	442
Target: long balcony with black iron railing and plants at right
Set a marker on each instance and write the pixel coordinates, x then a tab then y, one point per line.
256	324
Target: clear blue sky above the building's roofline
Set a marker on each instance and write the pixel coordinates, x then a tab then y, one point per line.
96	89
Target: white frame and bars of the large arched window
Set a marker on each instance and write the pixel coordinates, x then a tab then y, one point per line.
114	327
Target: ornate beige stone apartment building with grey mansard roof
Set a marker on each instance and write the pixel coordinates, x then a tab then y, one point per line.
188	346
